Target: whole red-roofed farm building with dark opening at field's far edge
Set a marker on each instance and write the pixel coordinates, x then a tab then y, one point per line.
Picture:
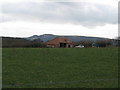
60	42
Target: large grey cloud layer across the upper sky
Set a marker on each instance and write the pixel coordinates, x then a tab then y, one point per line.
85	14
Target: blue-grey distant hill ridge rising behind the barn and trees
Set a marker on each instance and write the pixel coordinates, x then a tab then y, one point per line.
46	37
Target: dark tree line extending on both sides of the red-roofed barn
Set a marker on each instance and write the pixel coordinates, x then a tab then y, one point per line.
8	42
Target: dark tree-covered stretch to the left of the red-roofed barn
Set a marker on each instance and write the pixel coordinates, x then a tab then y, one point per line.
20	42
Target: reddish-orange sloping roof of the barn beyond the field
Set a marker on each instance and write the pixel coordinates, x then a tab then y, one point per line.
58	40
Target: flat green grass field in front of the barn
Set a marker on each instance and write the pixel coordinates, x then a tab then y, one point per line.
60	67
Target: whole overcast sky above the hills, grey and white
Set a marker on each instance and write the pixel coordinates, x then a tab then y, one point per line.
24	18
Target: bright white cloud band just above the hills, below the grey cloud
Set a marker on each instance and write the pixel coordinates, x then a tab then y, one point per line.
24	29
